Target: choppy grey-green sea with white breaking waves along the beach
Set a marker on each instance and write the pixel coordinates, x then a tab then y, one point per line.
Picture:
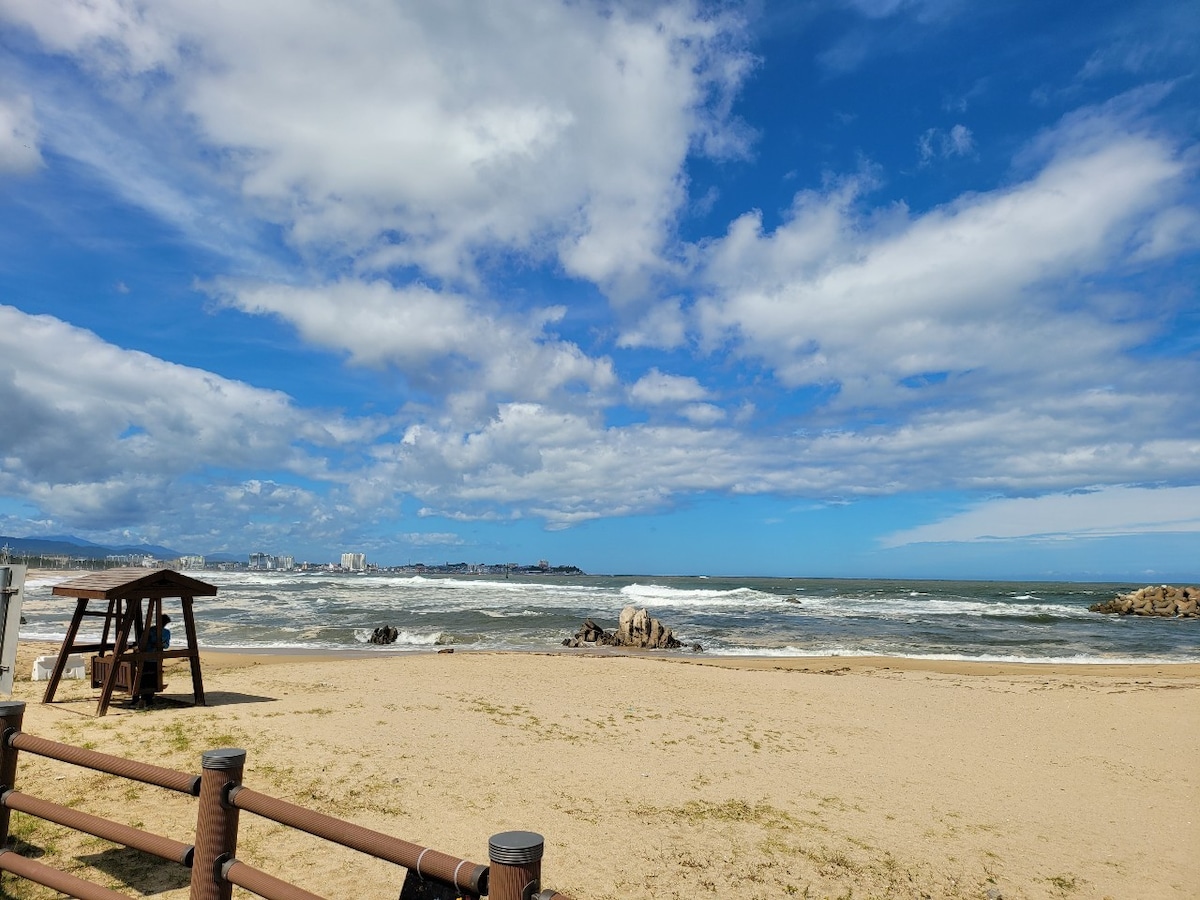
1042	622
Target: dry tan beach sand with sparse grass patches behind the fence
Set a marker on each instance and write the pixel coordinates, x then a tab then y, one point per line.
668	779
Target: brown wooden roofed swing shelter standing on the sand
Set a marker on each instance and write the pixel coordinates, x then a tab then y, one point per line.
127	646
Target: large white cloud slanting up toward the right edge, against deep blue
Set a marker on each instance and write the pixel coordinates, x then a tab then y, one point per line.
969	293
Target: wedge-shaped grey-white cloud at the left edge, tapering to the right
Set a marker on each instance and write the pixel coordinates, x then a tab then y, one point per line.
105	431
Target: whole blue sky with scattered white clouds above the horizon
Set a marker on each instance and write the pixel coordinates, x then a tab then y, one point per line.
848	289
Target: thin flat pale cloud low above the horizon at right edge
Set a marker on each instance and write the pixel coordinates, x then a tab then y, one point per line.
1097	513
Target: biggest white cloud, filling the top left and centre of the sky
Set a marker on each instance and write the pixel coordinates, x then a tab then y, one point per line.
425	135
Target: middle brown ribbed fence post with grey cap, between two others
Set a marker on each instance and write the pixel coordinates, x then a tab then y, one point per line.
217	824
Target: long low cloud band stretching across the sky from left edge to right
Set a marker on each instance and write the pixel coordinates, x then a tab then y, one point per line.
107	434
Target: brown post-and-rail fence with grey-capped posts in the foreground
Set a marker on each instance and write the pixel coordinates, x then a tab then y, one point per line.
515	857
